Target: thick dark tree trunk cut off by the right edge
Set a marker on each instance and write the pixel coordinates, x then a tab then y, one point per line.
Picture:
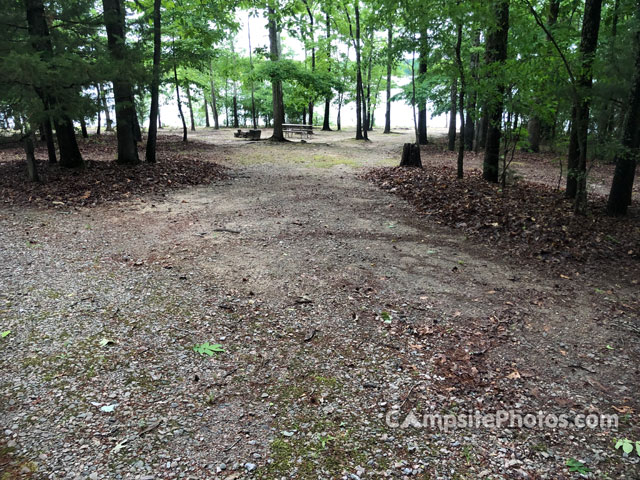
627	158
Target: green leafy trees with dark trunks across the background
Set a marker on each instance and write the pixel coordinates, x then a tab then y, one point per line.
511	74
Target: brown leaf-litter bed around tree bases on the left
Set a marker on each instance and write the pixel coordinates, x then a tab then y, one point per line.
102	180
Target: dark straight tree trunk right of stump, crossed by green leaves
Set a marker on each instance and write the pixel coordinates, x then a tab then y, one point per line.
496	55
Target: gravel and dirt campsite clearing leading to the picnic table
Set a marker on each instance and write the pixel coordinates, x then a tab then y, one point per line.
290	319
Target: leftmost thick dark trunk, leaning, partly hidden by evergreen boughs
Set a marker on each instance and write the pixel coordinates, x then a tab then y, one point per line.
41	41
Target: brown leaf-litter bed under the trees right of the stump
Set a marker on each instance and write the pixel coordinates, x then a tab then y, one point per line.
527	219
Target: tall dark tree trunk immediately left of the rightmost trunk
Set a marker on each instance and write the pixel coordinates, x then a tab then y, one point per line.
588	45
